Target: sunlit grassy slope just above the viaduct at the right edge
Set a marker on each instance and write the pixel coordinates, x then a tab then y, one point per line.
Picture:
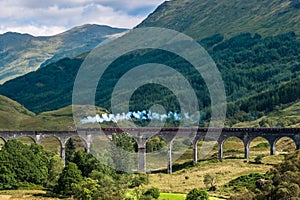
288	116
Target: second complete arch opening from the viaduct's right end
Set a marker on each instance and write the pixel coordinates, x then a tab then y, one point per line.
259	145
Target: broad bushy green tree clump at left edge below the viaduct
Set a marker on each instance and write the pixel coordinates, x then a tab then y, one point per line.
21	163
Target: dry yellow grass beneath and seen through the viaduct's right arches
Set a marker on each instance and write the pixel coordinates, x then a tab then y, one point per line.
187	177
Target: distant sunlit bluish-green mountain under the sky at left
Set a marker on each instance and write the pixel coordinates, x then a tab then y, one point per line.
23	53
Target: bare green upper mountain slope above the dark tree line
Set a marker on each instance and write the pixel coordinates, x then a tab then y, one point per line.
201	18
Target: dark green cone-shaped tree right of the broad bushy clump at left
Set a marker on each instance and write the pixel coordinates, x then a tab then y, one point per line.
70	175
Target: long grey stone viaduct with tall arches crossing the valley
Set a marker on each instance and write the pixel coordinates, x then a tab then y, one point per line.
141	135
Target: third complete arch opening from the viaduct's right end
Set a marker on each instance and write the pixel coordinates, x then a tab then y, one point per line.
233	146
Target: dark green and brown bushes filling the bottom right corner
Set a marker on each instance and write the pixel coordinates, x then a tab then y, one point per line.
282	182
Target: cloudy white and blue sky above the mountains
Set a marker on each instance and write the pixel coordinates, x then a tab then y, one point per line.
49	17
